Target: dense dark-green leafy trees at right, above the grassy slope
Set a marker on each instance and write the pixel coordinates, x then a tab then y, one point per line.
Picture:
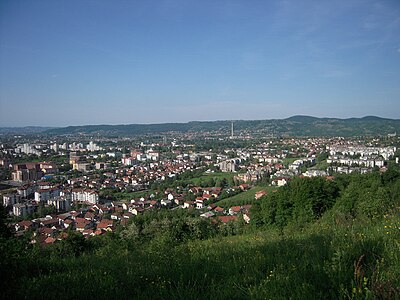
305	200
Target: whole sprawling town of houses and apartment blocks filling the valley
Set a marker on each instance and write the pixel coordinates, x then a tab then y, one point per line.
93	187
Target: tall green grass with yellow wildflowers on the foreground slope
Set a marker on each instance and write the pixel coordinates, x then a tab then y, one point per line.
324	261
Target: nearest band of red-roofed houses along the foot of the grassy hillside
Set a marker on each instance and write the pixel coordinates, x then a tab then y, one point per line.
97	219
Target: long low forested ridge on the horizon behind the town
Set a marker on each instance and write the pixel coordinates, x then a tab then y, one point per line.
293	126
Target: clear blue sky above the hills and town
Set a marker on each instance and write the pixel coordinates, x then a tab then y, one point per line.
121	62
